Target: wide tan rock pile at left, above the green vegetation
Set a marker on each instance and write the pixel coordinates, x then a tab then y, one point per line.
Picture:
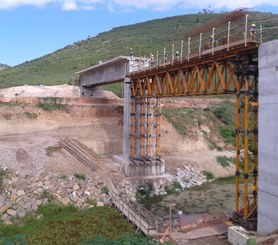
22	194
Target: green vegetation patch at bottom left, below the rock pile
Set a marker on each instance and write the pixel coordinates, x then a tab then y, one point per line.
71	226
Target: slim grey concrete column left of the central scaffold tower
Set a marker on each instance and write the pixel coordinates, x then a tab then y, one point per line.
127	97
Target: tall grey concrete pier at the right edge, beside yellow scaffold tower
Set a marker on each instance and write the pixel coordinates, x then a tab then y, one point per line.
268	138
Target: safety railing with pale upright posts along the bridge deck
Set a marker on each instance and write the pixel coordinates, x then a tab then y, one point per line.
221	38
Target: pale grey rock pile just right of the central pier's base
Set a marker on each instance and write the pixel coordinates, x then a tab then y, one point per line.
190	176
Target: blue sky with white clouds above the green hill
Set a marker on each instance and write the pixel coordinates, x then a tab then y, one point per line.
30	29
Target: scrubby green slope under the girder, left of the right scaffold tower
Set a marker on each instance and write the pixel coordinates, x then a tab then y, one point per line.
219	118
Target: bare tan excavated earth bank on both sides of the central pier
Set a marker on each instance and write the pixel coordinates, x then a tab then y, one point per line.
30	135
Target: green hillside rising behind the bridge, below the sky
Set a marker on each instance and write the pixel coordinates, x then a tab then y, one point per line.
60	67
